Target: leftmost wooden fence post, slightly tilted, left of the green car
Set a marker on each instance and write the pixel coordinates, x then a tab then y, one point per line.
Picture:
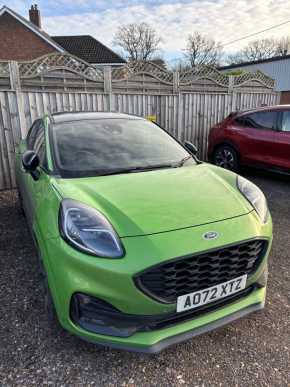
16	87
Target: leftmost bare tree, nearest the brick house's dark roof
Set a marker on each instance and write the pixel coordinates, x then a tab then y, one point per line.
138	41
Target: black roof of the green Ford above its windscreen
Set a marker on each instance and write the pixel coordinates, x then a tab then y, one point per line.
77	116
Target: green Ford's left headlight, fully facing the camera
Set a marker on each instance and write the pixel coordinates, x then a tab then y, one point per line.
88	230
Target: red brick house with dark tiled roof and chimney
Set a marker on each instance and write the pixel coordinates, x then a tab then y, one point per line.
22	39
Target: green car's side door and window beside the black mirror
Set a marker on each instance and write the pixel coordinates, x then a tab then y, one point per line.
28	186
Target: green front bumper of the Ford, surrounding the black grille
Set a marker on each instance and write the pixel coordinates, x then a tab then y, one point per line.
71	272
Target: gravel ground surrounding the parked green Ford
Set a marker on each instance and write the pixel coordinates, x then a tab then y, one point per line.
252	351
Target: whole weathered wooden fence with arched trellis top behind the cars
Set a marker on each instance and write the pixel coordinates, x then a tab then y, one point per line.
187	103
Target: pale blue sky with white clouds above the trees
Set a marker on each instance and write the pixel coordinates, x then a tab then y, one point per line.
222	20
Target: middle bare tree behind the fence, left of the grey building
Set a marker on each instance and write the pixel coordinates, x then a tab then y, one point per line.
202	51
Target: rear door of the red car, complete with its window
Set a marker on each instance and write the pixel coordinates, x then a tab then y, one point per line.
257	137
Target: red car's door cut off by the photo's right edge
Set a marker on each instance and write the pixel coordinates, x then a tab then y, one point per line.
282	141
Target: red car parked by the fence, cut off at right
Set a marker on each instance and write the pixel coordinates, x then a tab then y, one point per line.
258	137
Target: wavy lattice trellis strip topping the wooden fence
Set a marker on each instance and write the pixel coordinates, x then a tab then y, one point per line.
67	73
